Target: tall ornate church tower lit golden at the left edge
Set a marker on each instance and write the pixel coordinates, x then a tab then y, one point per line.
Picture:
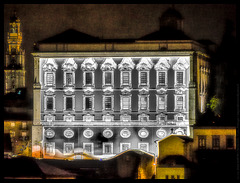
14	66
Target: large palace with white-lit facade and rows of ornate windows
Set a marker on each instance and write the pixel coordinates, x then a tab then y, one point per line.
103	97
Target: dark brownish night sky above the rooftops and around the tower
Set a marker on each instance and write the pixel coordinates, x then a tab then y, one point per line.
40	21
